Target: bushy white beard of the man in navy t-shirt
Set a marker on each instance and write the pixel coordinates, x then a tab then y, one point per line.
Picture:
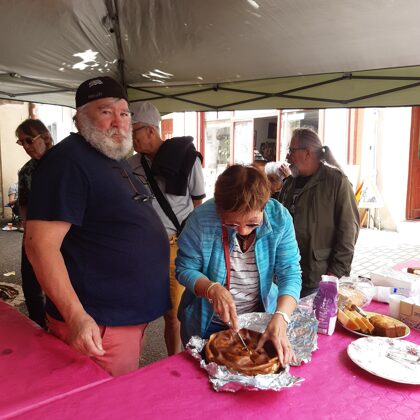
103	141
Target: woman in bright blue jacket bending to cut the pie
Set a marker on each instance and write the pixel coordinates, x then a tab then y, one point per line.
238	254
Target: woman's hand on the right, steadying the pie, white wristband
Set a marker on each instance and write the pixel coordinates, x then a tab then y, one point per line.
276	333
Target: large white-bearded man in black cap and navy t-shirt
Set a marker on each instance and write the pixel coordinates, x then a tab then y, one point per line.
97	246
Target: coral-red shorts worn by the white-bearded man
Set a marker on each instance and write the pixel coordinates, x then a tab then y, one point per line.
122	345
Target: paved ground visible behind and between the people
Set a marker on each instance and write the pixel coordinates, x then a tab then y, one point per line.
375	249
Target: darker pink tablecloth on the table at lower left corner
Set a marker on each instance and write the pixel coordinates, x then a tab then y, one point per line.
36	367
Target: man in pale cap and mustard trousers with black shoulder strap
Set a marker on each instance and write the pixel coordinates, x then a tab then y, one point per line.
172	171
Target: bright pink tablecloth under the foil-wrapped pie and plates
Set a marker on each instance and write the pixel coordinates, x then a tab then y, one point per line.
176	388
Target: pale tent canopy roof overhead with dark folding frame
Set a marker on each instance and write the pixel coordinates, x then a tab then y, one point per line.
201	55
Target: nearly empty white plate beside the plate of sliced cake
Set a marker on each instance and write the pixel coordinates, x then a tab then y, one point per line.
370	353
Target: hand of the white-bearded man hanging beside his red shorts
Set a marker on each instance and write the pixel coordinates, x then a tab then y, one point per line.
84	335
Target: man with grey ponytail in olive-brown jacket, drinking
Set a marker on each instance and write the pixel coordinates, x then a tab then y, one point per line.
321	201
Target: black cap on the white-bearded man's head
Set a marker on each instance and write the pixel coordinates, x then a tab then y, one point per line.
98	88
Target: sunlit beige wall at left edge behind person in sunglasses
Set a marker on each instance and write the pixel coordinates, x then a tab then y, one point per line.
12	156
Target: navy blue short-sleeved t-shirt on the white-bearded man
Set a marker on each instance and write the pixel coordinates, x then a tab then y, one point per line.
116	251
